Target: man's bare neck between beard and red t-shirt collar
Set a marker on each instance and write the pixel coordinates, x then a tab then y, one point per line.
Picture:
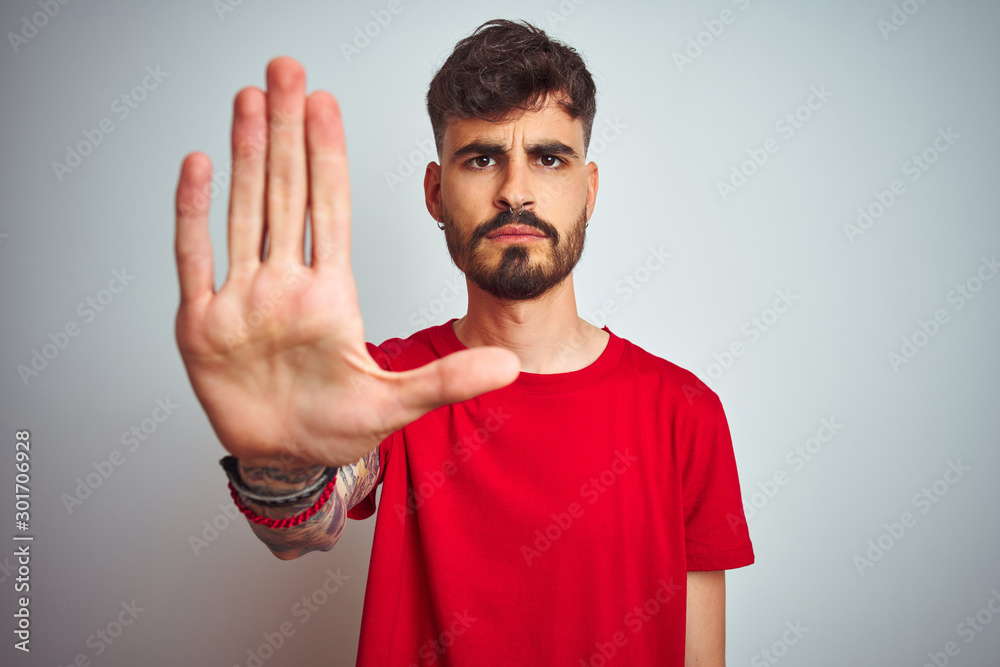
545	333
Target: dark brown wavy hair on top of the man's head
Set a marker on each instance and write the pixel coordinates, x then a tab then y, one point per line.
504	69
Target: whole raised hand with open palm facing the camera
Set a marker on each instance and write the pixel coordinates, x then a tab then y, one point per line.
277	356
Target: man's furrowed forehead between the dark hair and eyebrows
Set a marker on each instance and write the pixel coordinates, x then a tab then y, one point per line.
549	121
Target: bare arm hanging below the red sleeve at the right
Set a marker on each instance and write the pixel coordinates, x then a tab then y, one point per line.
705	640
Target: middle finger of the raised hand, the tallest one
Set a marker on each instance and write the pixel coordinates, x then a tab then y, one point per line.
286	159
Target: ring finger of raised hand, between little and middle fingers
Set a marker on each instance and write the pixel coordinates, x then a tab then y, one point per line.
246	200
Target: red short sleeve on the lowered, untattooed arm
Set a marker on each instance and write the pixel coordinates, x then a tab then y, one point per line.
715	529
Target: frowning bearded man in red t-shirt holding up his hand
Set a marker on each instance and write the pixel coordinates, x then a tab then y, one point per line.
551	493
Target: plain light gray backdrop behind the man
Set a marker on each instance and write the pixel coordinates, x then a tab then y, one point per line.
856	355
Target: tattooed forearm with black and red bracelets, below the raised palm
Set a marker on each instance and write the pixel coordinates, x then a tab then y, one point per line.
318	533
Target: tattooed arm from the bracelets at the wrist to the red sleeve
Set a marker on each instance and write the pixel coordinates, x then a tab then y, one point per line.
323	530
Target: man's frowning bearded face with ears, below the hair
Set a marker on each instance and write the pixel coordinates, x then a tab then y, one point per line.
515	198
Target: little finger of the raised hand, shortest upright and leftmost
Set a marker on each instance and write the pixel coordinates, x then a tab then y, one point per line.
192	243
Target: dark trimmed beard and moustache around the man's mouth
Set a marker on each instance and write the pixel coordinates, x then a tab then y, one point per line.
516	277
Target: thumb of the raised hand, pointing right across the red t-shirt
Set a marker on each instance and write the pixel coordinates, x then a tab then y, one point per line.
457	377
